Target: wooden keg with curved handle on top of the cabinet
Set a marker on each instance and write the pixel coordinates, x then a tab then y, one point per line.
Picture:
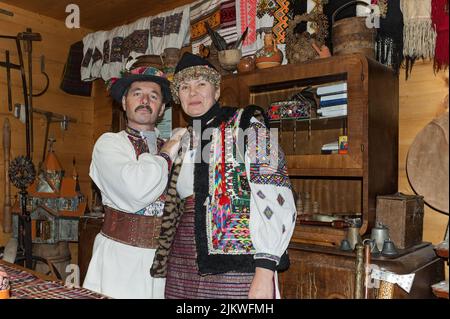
351	35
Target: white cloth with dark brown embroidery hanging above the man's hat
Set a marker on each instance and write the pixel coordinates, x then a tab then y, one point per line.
105	53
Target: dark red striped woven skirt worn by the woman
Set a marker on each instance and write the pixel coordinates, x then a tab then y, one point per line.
183	280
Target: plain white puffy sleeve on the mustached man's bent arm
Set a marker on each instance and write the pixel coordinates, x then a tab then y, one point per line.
128	182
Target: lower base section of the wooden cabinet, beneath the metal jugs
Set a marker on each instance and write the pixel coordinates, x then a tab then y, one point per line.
327	273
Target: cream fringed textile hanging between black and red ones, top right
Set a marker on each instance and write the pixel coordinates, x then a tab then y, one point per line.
419	37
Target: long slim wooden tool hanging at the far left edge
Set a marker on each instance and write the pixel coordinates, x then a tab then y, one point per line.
7	198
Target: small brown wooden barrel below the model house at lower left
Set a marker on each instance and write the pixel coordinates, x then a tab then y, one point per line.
58	254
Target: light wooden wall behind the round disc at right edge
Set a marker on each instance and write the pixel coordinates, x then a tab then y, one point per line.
421	100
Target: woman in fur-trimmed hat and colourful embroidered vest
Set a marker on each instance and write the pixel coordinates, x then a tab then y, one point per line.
239	212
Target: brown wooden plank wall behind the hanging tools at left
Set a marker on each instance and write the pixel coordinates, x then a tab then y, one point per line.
77	140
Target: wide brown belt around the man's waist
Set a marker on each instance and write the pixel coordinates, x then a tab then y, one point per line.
131	229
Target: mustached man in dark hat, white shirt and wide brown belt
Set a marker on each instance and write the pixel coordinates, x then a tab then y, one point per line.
131	170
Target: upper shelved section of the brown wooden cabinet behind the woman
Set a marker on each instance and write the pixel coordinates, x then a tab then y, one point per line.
344	184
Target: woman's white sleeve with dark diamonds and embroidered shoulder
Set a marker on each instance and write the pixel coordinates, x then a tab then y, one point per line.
272	205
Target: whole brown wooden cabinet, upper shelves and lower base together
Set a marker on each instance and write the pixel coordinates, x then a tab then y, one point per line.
341	184
